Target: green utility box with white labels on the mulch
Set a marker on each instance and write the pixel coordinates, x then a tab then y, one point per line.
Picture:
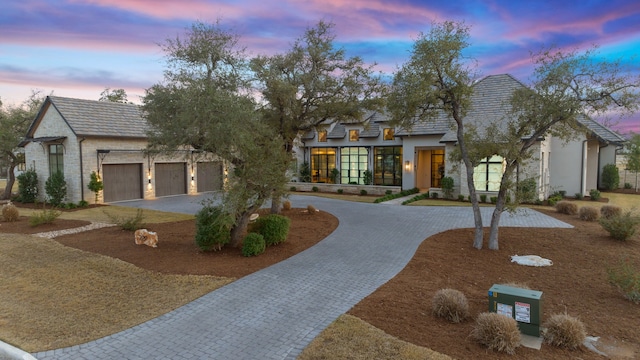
525	306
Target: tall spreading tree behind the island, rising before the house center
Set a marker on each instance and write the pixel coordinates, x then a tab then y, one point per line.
313	83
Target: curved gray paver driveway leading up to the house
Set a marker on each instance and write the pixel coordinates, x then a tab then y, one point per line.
276	312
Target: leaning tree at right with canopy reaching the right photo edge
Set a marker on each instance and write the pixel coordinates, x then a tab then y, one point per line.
566	86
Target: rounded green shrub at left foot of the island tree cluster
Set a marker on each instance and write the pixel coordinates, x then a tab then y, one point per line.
213	228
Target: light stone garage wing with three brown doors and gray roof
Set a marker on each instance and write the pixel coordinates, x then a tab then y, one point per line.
78	137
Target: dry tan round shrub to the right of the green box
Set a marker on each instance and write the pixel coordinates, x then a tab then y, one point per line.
564	331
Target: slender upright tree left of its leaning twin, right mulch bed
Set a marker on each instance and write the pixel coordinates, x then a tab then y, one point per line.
438	81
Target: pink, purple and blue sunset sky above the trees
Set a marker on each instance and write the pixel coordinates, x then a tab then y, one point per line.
77	48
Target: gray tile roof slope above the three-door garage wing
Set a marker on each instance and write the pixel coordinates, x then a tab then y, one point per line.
101	118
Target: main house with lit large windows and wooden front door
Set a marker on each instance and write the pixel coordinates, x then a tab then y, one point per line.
418	156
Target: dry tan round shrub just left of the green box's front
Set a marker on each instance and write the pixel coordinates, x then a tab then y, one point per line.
497	332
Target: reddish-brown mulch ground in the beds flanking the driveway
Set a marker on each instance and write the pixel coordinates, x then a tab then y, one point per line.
576	283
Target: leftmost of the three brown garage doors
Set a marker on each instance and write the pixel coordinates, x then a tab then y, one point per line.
122	182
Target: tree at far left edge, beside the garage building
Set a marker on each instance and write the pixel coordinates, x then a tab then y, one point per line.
14	122
